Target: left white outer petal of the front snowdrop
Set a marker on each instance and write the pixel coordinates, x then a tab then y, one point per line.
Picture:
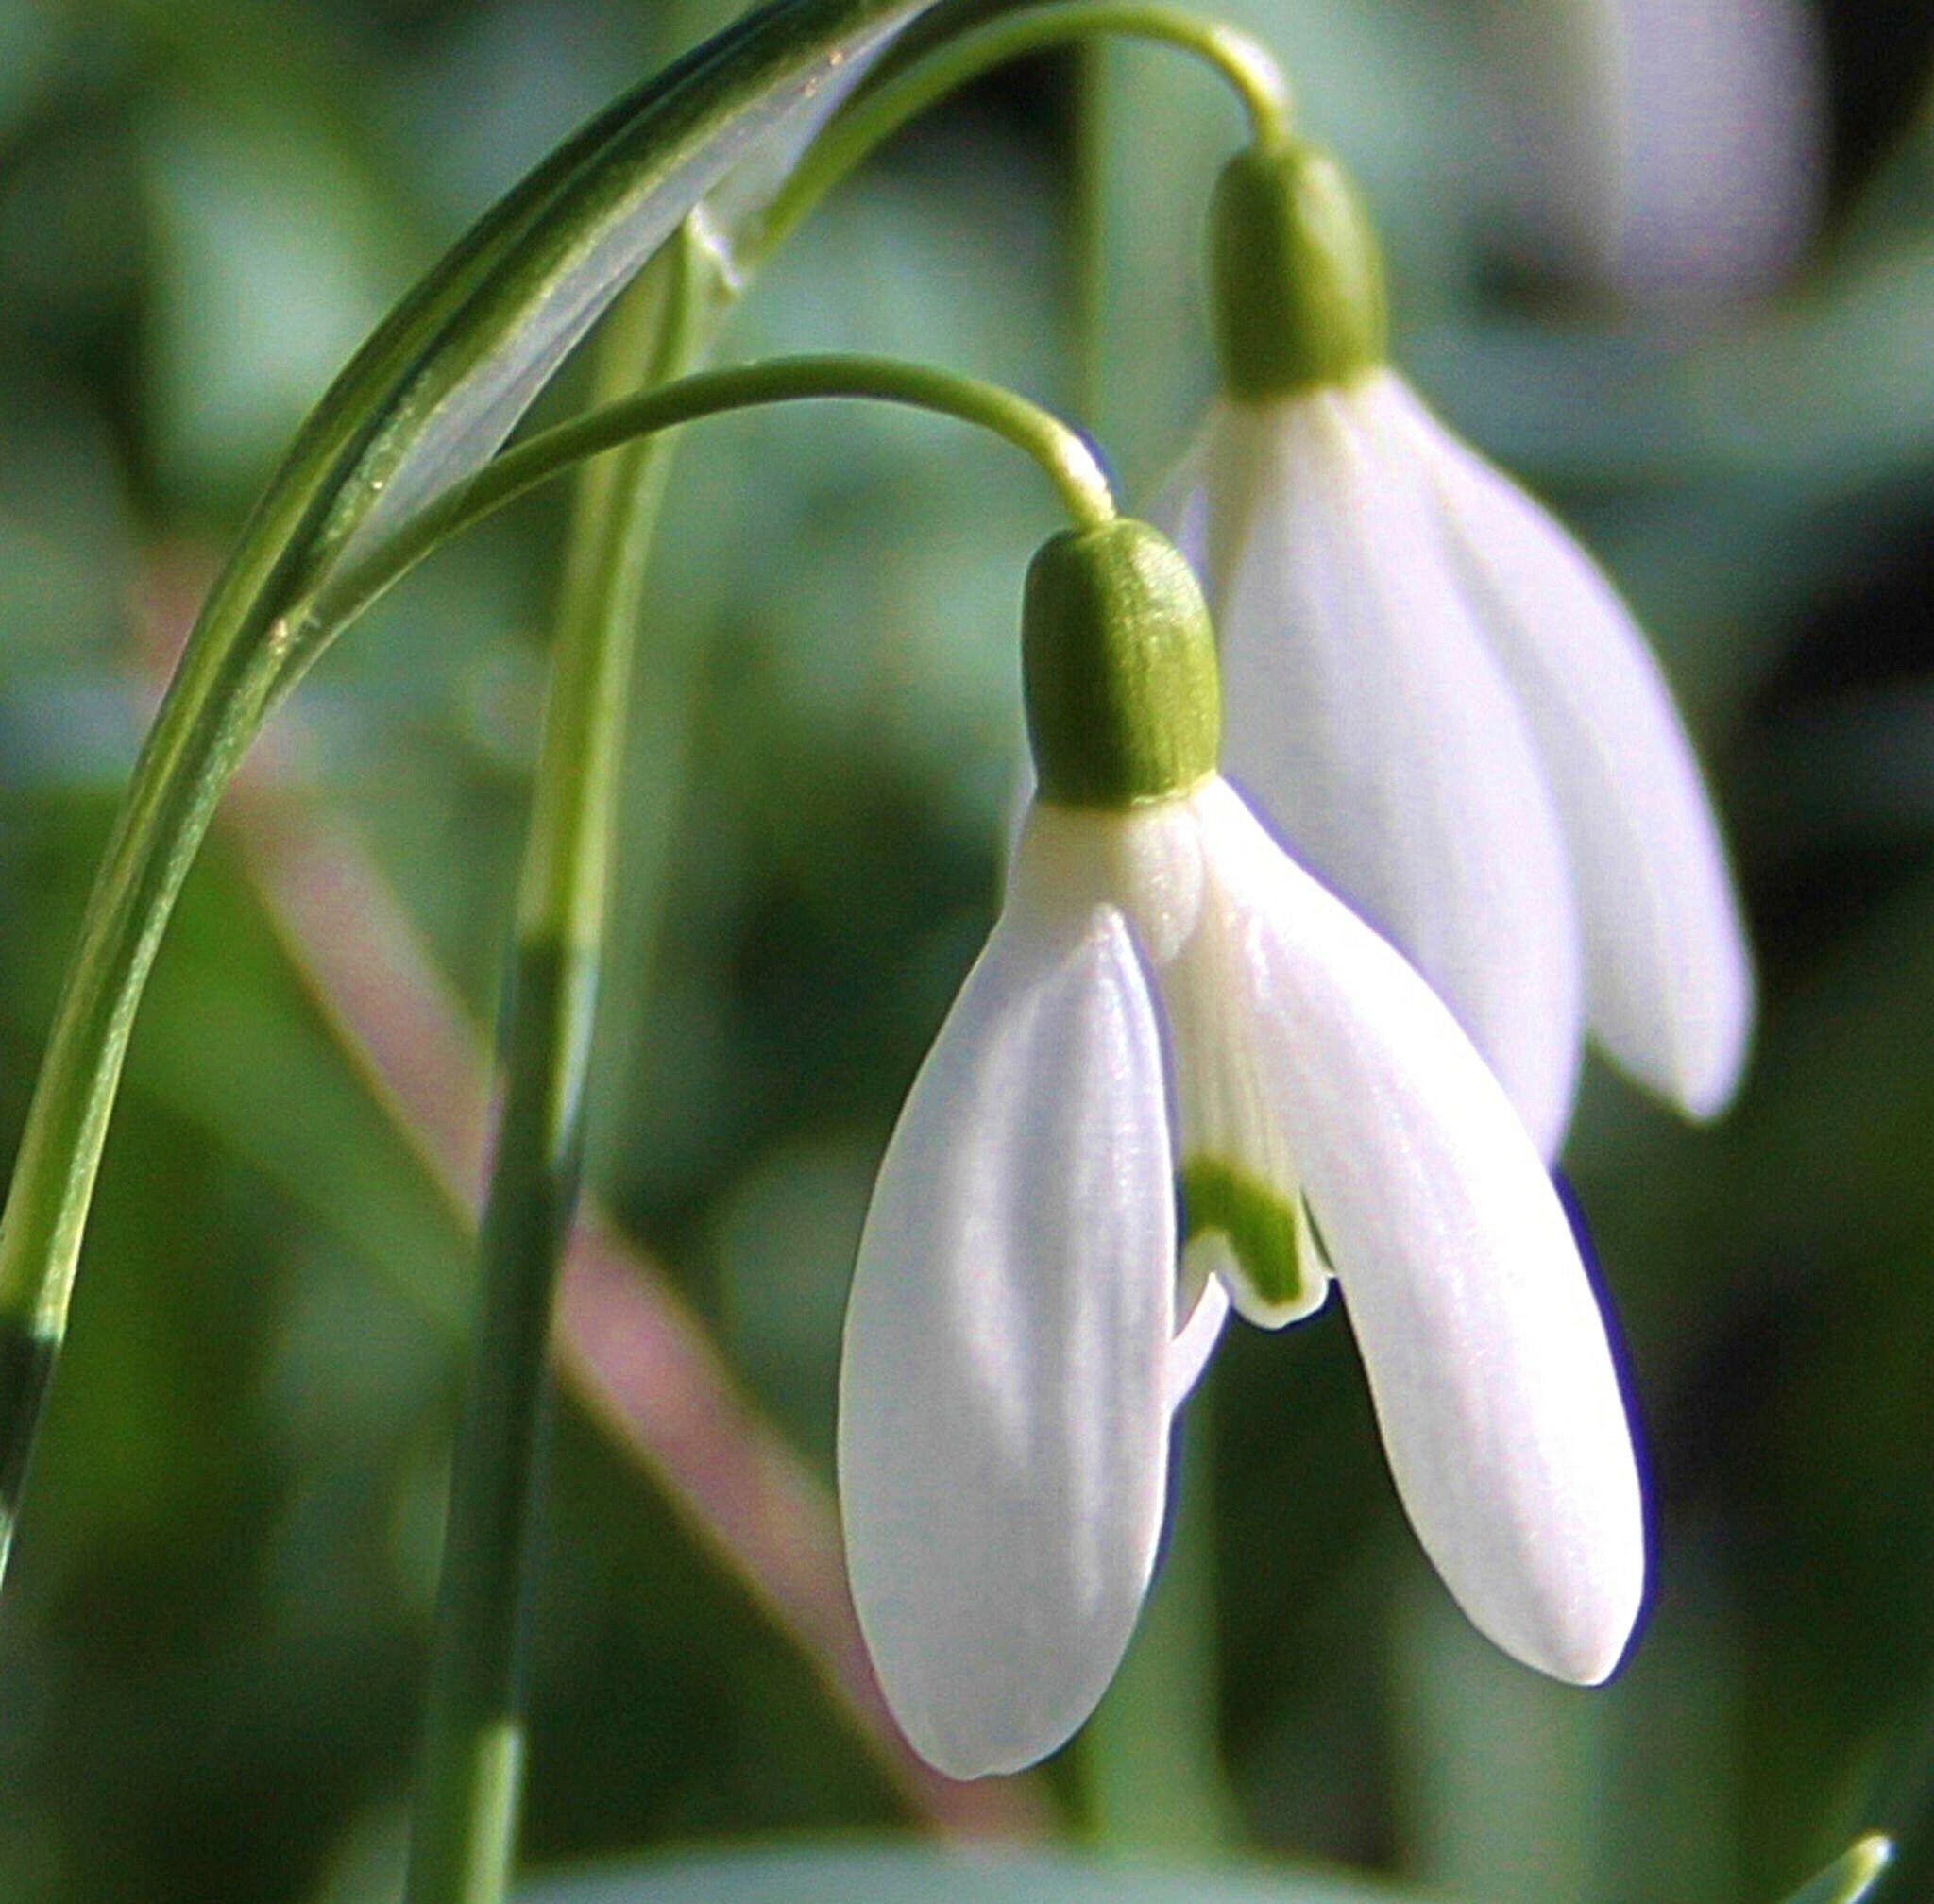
1005	1386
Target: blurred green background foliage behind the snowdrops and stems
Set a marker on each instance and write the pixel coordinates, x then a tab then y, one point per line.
1670	258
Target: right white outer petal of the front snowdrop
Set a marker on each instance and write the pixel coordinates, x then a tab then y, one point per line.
1482	1338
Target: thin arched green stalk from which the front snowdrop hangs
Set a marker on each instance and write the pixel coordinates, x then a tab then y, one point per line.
1061	452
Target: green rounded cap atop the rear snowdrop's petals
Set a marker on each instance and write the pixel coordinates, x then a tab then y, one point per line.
1295	274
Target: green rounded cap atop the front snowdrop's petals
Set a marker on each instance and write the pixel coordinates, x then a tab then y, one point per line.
1119	669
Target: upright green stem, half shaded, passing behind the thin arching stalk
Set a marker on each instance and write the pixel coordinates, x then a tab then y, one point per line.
467	1806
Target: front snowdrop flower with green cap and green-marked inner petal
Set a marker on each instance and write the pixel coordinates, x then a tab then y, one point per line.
1169	1003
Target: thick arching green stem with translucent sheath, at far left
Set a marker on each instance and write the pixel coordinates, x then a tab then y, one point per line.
423	405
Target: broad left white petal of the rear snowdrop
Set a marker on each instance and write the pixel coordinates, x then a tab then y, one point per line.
1376	730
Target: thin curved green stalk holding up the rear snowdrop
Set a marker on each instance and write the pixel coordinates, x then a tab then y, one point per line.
1243	61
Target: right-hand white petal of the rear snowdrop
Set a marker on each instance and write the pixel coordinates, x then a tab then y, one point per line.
1668	974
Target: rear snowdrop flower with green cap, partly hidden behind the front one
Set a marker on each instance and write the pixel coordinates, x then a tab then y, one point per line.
1434	692
